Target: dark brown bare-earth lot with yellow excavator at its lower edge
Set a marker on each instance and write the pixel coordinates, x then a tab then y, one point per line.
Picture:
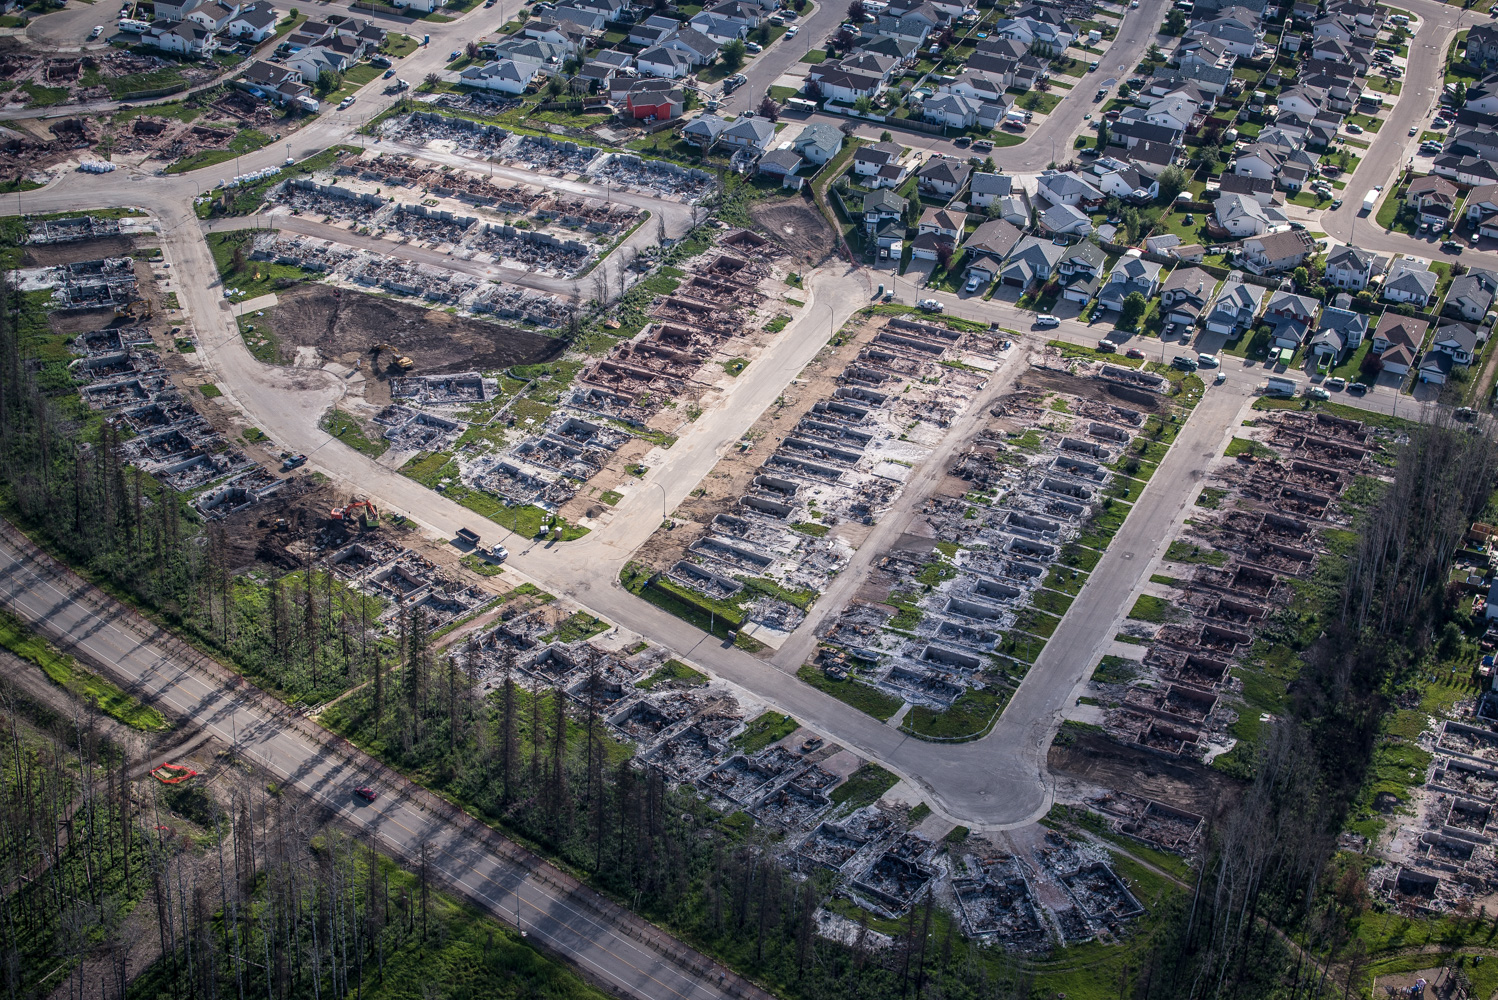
344	326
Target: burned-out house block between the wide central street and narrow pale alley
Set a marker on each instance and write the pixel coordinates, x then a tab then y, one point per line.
783	514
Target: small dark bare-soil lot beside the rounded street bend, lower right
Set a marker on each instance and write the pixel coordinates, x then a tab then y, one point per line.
1103	761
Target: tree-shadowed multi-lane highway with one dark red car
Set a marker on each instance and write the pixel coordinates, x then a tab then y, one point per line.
562	921
